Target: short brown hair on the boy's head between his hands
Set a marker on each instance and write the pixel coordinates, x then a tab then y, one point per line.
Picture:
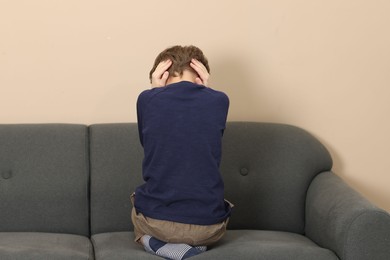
181	58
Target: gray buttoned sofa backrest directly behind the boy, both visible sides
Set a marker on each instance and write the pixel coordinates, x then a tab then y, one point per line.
267	169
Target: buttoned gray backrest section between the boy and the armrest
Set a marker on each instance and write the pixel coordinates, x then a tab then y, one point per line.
267	169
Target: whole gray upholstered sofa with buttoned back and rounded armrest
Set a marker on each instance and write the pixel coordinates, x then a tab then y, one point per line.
64	194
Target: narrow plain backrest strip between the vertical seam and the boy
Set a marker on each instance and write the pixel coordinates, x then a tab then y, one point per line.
116	158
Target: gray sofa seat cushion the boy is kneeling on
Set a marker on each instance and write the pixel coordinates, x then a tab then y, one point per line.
236	244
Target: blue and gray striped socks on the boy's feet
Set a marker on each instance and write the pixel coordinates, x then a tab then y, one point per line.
170	250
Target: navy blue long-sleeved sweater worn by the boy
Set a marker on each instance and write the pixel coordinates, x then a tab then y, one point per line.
181	127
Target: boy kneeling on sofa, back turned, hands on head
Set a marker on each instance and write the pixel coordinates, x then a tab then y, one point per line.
181	208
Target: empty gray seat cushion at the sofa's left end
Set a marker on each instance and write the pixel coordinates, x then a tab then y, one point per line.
31	246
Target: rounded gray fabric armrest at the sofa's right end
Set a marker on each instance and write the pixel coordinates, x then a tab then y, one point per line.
340	219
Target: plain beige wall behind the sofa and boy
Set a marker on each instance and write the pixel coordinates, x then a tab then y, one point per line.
321	65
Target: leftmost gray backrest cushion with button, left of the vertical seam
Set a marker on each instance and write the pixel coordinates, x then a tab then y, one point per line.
44	178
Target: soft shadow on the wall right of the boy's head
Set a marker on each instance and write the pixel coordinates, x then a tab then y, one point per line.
229	74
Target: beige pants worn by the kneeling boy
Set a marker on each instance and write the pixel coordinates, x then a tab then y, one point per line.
174	232
